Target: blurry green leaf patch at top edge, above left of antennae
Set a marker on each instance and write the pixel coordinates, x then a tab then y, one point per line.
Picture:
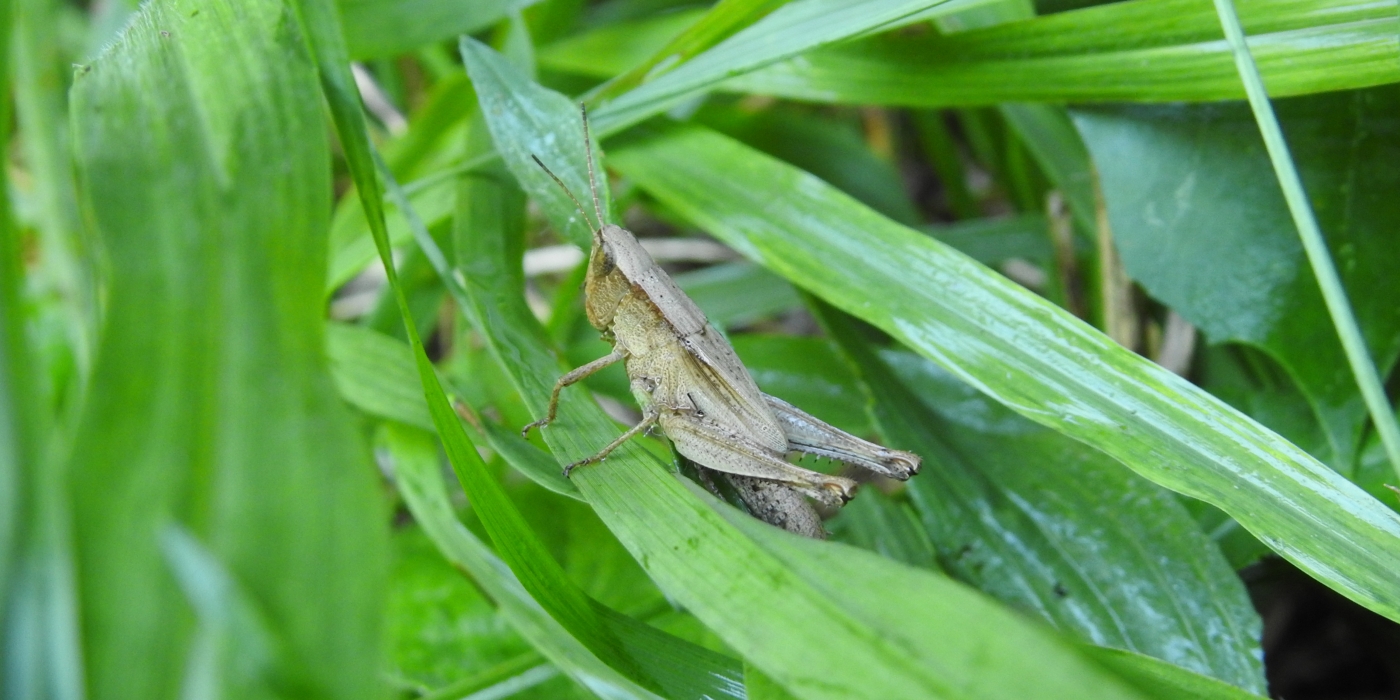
379	29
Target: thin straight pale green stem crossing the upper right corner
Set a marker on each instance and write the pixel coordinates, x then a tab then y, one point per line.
1363	367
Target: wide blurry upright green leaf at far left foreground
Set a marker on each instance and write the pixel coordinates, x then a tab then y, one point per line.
202	148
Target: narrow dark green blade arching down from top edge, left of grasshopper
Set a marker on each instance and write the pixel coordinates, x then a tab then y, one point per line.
642	653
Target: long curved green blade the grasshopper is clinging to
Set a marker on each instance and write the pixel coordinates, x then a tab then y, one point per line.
811	619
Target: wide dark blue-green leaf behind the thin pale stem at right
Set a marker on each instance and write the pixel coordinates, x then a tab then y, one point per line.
1207	233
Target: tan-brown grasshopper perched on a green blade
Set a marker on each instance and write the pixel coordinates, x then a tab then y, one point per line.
692	386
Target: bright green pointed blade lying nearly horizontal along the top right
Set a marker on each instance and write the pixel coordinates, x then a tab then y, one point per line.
1086	55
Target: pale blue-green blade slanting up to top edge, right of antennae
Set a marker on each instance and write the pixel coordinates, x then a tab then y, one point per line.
796	29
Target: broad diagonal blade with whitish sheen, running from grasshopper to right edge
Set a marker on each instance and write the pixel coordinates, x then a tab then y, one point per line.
1028	355
